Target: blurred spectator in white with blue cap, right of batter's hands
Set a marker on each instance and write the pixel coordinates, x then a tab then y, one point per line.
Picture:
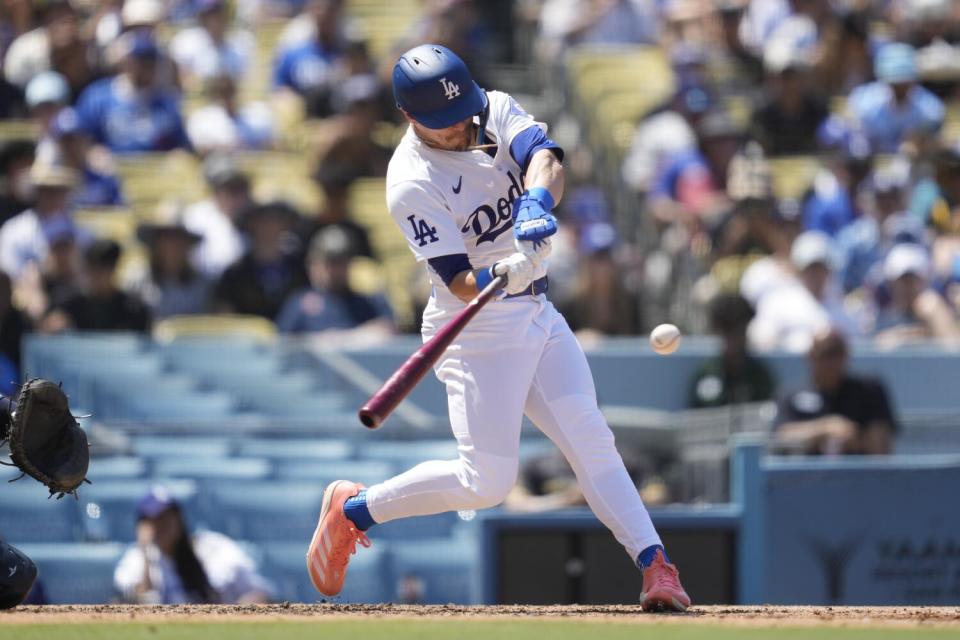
664	134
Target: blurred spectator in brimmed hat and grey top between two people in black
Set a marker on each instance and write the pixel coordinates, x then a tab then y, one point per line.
171	286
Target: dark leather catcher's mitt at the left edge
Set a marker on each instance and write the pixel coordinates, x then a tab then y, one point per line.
45	440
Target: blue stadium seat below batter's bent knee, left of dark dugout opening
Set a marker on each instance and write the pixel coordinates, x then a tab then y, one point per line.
447	569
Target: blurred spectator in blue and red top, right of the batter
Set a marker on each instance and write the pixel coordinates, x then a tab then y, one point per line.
691	187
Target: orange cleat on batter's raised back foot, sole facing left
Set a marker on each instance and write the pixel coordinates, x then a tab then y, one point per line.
335	539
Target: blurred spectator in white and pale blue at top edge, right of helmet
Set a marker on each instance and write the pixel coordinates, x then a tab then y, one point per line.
565	23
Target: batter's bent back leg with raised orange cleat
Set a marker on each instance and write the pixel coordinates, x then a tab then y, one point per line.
487	377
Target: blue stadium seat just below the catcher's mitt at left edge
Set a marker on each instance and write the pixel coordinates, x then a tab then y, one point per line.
27	515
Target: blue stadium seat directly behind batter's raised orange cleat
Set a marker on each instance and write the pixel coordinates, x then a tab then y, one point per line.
367	577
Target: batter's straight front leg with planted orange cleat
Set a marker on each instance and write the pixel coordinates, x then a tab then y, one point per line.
563	404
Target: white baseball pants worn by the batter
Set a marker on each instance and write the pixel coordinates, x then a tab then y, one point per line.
517	356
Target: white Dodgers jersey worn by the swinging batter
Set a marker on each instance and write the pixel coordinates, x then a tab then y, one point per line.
450	202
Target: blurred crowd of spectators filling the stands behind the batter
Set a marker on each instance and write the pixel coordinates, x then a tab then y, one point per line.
865	90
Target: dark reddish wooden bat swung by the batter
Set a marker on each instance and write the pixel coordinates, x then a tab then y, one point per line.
382	403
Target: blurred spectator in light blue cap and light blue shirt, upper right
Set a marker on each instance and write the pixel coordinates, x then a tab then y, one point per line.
895	109
